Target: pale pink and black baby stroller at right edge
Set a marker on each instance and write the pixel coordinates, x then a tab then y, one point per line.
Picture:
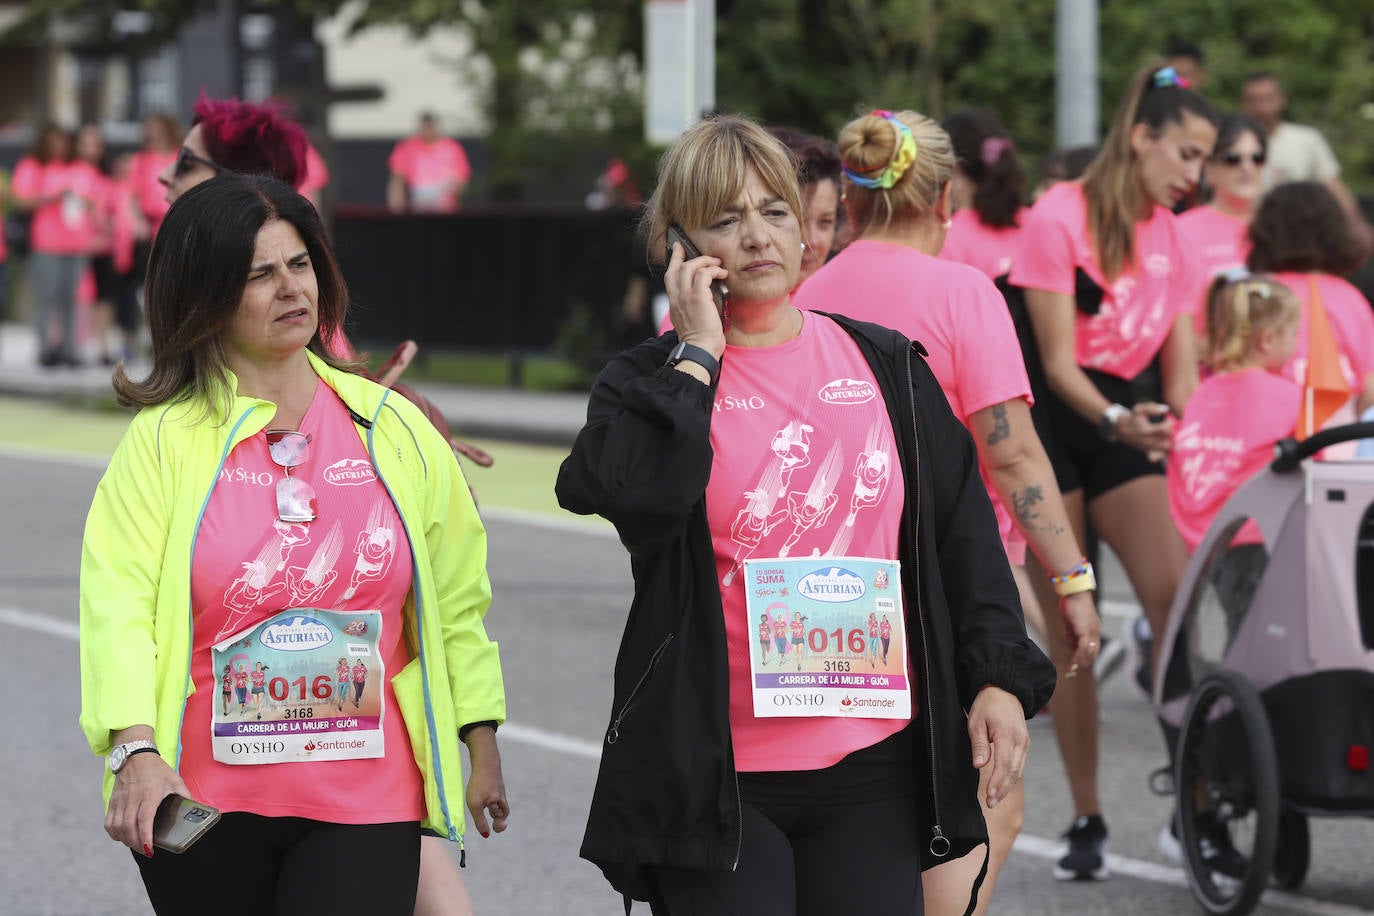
1266	678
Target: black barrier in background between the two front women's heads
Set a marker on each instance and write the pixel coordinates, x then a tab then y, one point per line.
486	279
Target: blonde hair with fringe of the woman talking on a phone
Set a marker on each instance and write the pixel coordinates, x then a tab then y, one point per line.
706	171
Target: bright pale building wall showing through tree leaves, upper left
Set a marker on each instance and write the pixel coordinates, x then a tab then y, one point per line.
433	73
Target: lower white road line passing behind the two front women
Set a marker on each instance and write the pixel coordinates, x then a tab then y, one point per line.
1035	847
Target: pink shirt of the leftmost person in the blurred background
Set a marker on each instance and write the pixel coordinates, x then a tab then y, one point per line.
65	226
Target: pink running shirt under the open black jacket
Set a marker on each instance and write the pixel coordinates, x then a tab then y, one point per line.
804	463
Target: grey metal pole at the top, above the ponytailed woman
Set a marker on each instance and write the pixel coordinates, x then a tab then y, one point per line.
1077	73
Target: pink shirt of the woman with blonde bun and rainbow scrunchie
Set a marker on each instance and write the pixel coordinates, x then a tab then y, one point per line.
950	308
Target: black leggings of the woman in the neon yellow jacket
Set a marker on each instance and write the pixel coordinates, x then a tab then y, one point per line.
288	867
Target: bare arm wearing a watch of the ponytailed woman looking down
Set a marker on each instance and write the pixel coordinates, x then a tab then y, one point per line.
1052	315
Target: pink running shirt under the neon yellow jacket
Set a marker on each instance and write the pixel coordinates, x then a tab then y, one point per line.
251	566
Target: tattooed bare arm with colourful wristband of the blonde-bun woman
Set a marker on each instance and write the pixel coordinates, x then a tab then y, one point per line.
1015	459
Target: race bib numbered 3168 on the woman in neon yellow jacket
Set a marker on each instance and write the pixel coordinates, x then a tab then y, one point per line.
304	686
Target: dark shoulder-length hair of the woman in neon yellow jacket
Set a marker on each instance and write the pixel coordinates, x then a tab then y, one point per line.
197	274
